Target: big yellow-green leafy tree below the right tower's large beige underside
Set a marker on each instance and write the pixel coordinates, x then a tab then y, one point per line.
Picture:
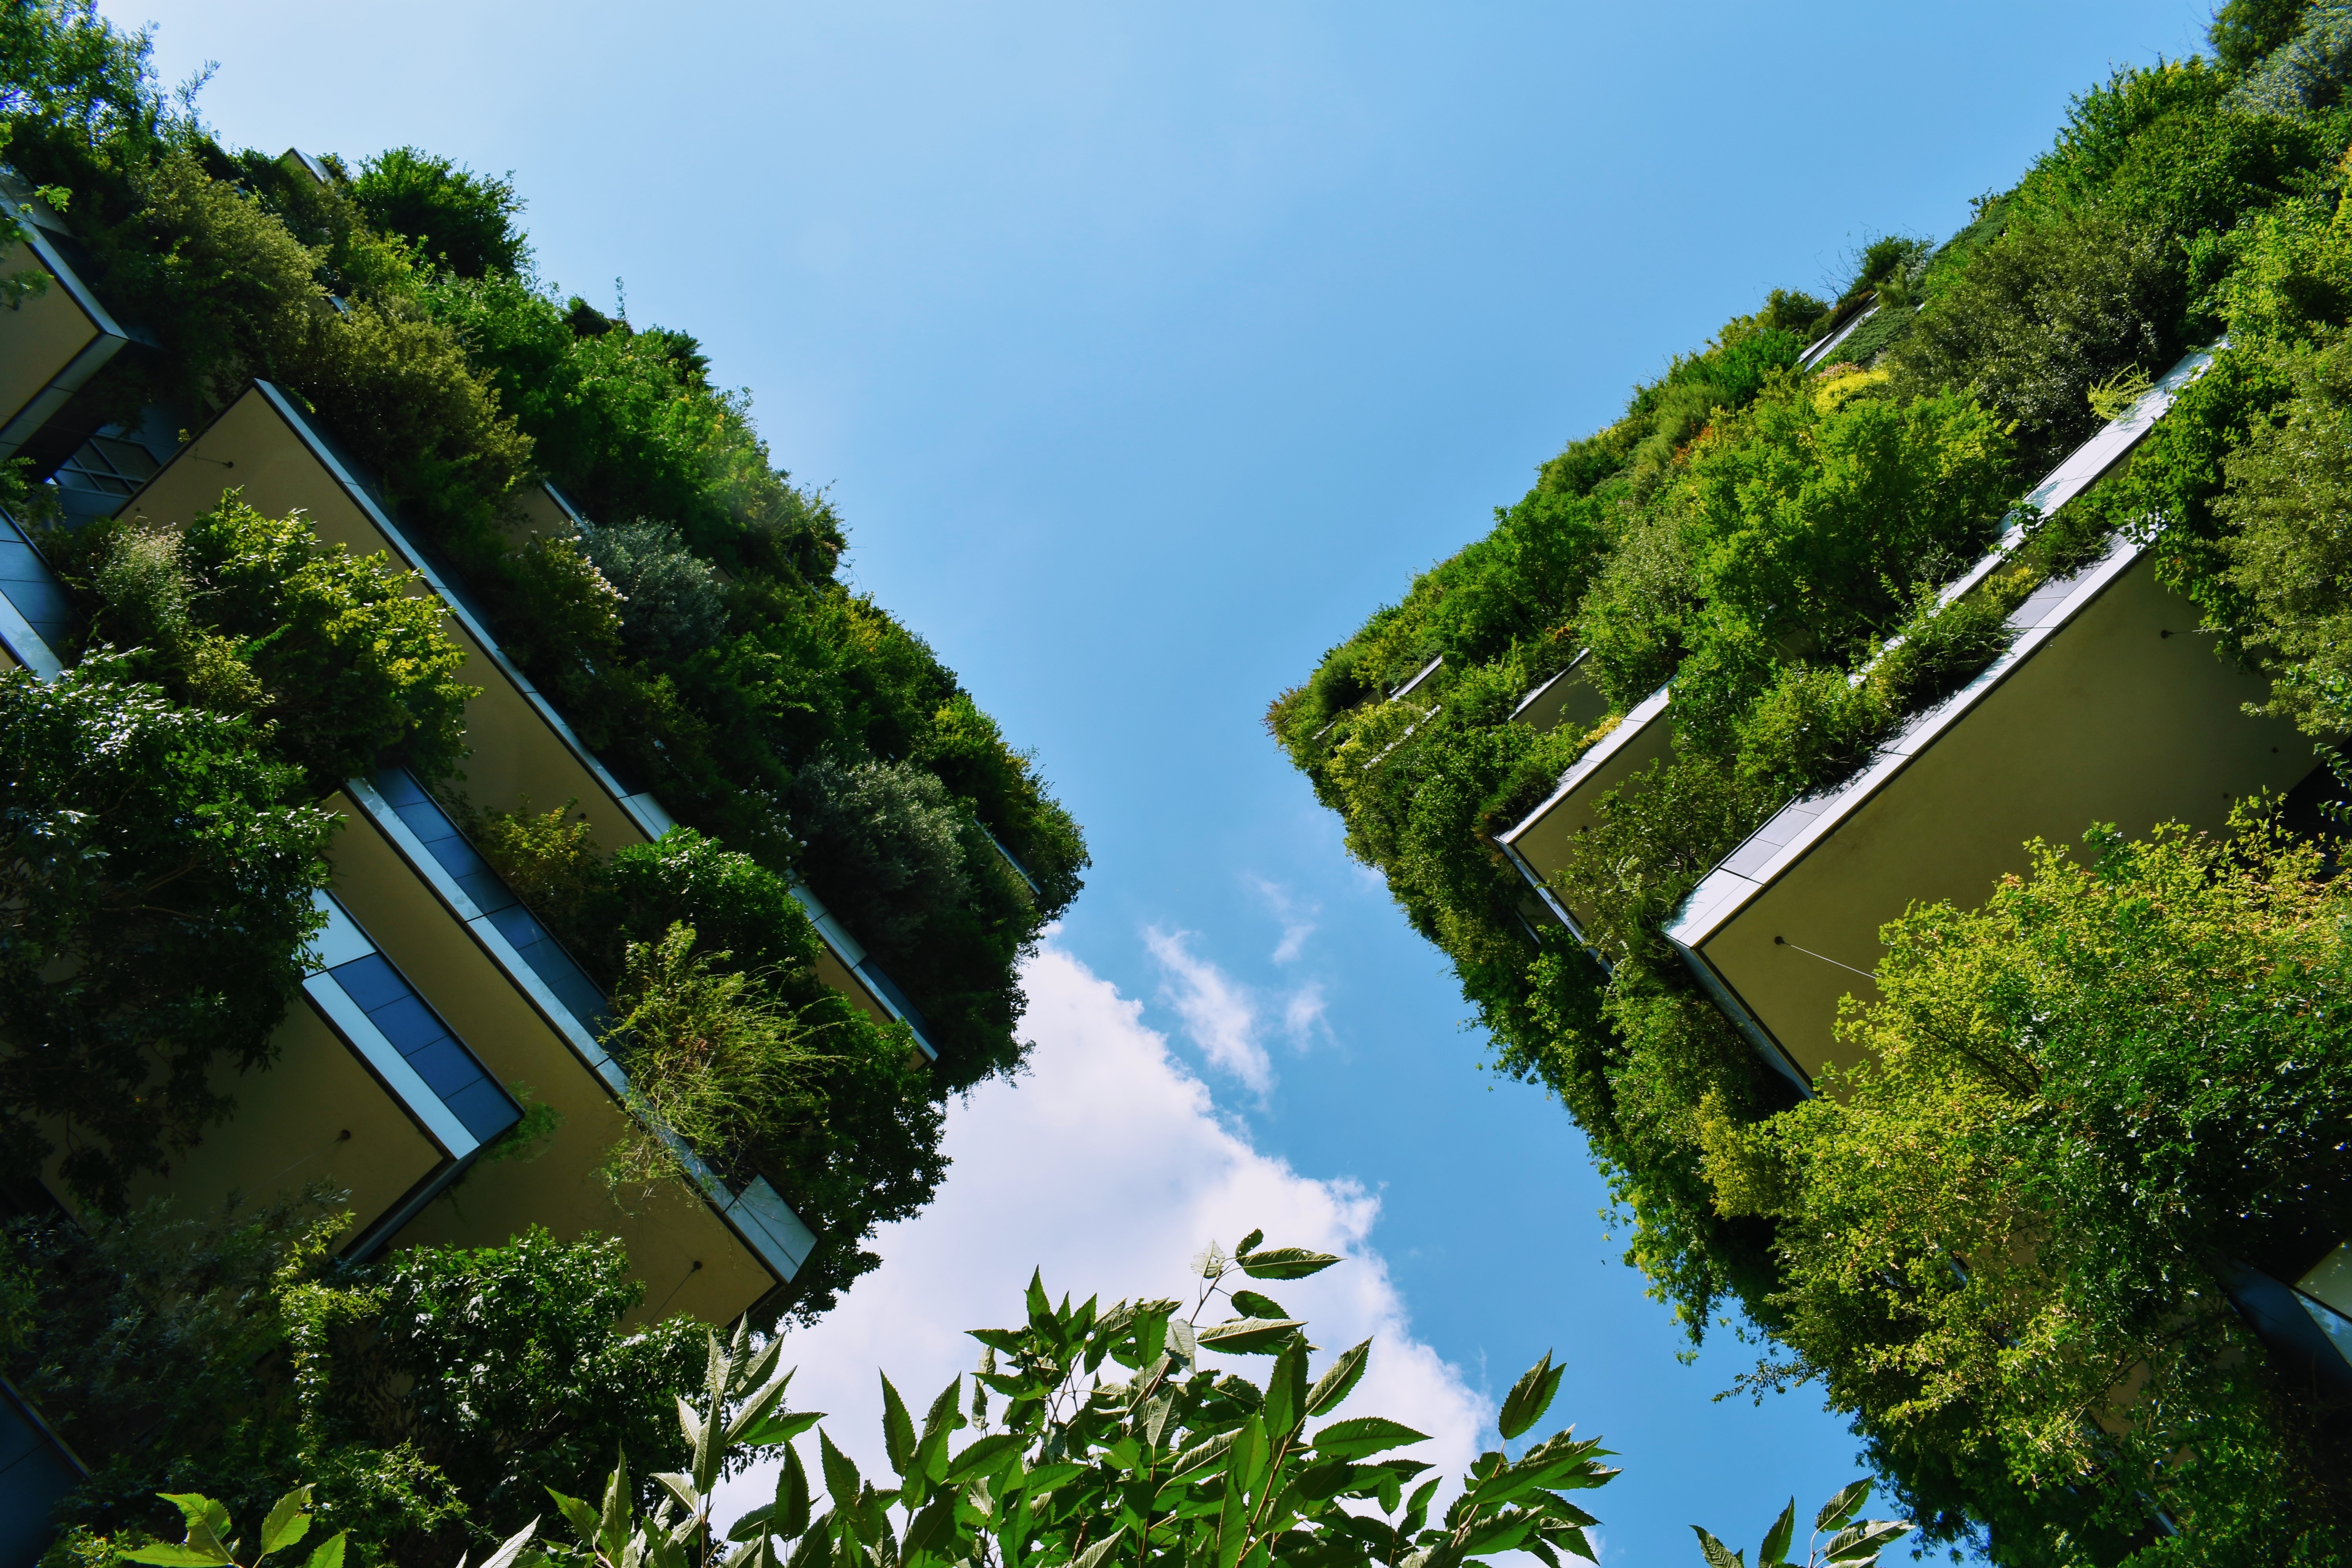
2038	1113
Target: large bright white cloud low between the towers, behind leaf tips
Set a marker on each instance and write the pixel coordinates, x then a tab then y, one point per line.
1107	1167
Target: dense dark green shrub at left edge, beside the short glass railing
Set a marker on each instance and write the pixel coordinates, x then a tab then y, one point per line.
119	1003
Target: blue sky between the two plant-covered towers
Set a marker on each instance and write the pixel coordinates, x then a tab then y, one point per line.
1147	351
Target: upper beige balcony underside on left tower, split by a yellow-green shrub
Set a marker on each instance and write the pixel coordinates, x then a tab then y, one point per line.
516	756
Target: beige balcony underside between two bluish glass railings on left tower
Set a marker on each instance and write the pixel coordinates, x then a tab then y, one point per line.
669	1233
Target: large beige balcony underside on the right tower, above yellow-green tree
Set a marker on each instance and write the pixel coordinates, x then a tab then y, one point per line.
2111	721
